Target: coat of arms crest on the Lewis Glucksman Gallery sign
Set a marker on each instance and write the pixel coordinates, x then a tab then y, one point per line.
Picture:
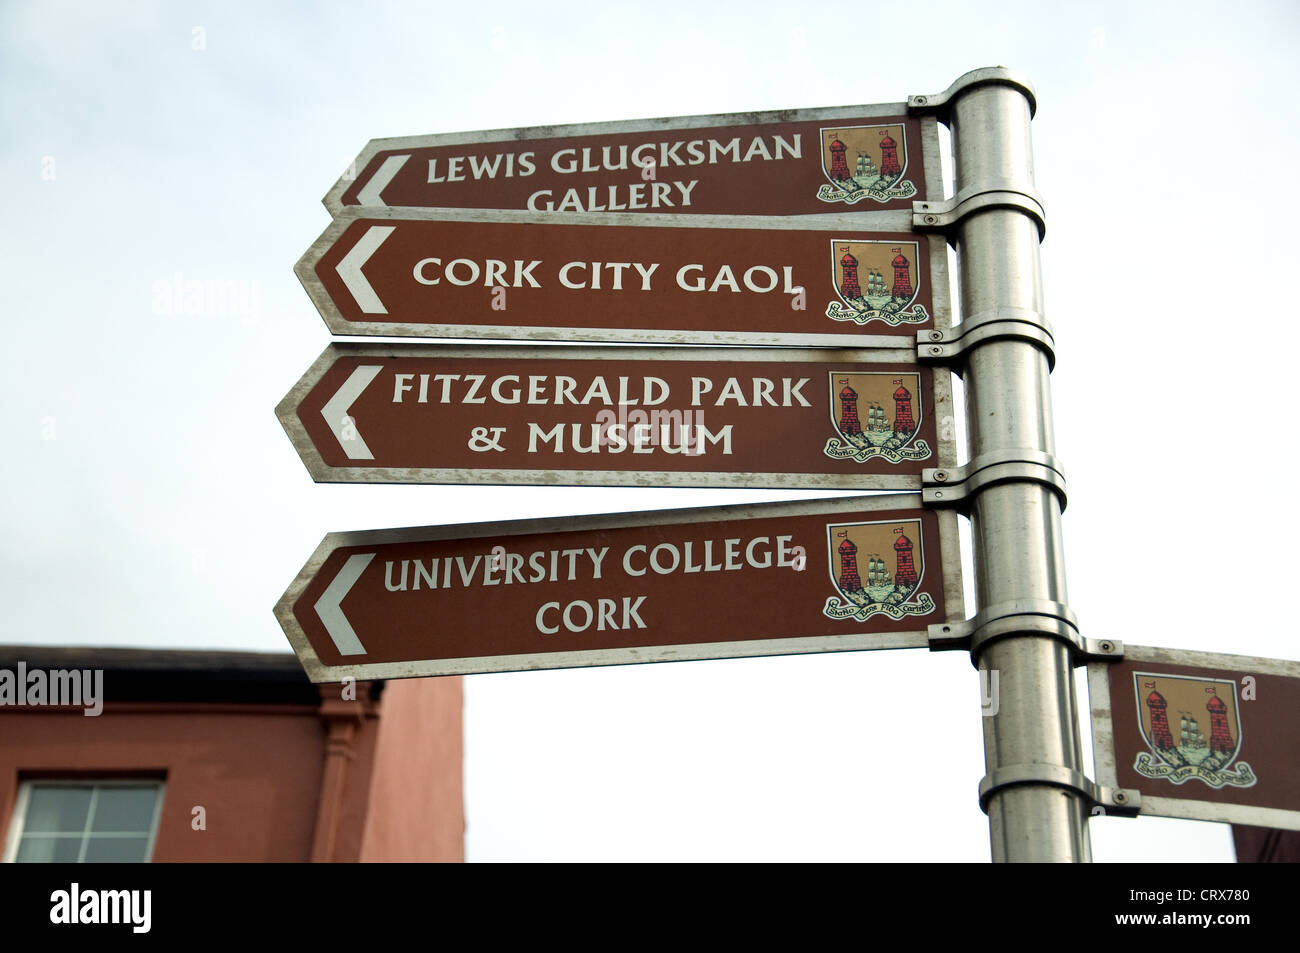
865	163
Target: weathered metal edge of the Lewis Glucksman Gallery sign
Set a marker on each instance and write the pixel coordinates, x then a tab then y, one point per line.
933	168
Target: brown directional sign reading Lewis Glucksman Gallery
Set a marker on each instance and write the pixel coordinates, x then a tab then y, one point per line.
864	158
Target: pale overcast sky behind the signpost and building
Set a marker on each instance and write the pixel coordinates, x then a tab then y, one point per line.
153	500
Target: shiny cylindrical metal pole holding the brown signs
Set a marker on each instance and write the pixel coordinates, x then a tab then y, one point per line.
1035	792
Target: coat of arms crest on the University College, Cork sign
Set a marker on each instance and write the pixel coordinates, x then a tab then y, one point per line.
868	581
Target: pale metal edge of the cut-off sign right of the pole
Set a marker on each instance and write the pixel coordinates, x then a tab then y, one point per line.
1104	743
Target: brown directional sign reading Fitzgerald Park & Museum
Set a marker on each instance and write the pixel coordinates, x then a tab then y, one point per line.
644	417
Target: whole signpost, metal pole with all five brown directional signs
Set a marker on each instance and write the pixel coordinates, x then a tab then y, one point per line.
544	235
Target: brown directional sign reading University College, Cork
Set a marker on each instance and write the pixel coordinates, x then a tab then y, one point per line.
827	575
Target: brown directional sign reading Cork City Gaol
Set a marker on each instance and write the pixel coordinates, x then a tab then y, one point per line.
629	279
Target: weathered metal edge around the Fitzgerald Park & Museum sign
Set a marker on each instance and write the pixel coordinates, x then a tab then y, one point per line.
942	405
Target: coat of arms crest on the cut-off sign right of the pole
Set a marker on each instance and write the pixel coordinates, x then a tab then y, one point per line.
1173	712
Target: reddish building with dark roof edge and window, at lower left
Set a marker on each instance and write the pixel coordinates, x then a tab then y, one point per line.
228	756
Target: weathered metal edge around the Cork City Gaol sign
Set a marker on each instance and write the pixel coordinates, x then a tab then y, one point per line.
873	223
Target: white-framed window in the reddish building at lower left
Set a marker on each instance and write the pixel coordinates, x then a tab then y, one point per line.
85	822
